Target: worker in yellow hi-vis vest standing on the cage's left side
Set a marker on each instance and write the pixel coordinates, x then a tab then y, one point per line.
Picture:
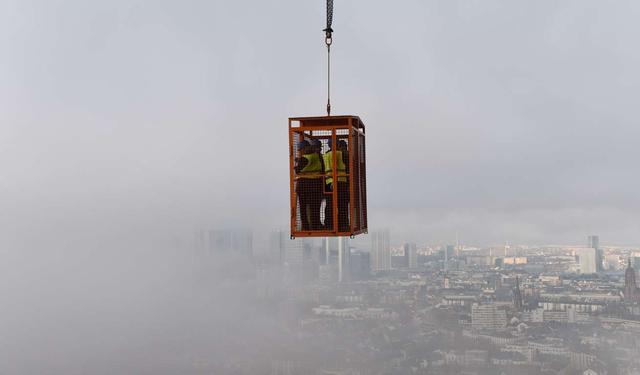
309	187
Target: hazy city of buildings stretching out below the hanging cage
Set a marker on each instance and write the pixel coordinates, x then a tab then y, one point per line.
383	306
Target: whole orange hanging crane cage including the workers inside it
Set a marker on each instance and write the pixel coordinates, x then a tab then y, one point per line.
328	184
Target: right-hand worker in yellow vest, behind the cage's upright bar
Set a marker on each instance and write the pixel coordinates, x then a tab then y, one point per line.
342	186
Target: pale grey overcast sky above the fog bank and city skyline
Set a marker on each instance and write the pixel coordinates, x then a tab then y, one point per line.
124	121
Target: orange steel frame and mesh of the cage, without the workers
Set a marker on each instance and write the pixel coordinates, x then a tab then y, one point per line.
331	129
